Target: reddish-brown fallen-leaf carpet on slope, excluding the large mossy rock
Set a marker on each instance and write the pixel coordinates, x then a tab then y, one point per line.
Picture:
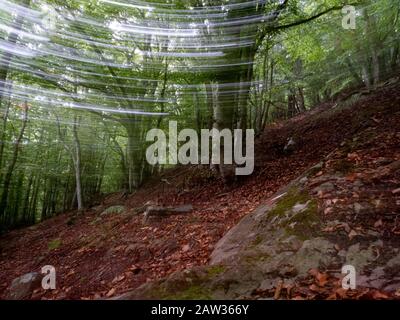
104	255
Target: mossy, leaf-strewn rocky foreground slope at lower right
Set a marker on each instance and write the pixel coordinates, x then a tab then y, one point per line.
342	211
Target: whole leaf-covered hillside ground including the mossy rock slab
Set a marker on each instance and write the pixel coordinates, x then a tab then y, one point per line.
283	233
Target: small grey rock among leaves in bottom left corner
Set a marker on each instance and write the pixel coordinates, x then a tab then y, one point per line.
23	287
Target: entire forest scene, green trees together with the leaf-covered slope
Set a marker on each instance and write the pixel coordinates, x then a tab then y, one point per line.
83	86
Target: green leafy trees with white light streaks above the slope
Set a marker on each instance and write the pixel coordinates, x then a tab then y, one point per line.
79	91
